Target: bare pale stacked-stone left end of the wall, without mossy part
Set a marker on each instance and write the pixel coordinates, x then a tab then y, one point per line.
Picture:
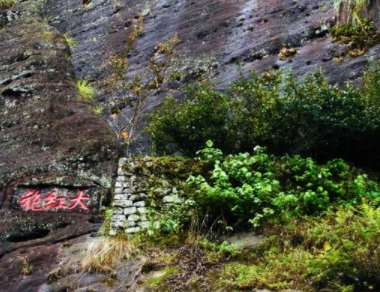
129	206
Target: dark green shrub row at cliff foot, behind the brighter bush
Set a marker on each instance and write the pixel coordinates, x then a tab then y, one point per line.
308	117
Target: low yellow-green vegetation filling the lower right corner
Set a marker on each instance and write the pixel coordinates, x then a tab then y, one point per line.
336	252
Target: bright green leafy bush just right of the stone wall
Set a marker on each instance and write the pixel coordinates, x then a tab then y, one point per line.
244	189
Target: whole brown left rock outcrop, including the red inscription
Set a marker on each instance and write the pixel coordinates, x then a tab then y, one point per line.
57	158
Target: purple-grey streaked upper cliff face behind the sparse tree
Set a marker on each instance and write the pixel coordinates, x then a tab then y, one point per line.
238	36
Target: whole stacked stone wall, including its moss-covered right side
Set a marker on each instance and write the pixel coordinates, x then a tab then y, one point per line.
148	186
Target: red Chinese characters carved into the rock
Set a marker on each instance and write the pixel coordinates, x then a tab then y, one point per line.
33	200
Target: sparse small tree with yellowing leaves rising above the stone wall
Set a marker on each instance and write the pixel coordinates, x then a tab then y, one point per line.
142	85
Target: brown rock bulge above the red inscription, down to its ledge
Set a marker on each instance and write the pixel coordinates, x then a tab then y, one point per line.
47	137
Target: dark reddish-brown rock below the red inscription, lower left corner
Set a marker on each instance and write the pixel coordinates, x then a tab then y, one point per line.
37	238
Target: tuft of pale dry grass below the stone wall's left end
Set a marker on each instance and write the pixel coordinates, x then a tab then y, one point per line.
104	253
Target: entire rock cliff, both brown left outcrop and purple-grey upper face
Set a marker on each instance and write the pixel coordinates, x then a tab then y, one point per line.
52	145
